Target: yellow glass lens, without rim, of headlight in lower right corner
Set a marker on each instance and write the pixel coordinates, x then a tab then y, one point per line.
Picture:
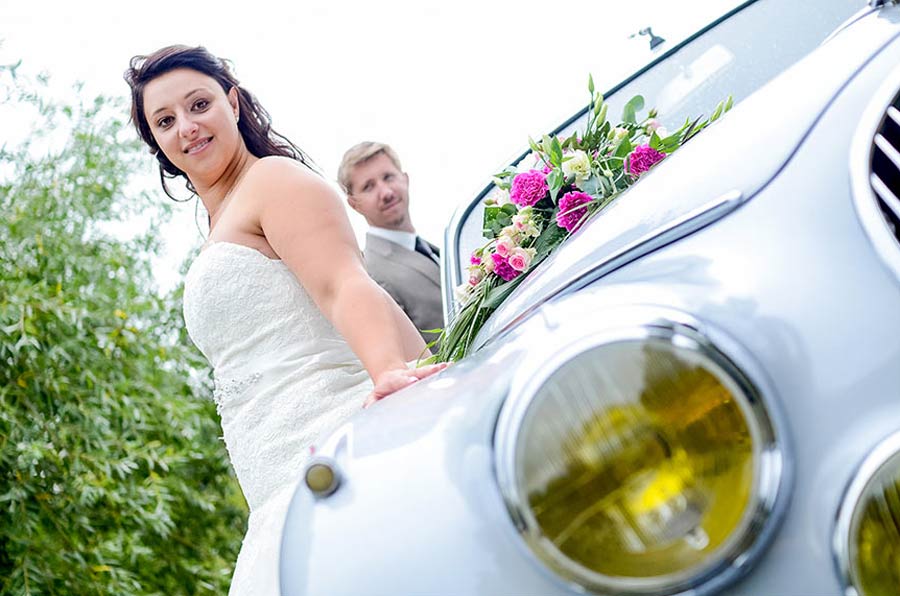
875	533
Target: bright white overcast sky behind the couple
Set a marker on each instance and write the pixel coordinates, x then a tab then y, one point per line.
454	87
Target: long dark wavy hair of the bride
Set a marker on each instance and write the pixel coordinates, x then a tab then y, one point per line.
255	125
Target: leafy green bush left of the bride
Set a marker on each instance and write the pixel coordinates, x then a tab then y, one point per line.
113	479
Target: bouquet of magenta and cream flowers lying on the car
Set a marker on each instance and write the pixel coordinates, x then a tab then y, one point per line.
565	181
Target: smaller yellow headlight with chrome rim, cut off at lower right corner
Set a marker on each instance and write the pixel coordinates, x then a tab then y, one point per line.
867	532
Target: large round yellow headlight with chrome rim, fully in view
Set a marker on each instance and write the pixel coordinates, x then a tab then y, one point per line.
640	461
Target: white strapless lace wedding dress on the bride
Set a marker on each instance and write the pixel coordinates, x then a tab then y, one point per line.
283	377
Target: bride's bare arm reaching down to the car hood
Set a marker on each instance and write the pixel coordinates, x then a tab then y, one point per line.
304	221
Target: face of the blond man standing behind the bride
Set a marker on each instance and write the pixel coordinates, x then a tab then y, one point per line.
380	192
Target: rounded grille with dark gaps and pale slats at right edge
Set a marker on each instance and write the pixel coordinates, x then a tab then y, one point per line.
875	172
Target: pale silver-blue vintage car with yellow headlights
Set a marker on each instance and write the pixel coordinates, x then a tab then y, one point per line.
699	393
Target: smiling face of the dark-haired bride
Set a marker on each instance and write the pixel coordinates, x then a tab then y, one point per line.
194	122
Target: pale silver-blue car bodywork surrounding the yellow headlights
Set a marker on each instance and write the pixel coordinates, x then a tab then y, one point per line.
790	277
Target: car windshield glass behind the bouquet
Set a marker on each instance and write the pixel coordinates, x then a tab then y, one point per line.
734	54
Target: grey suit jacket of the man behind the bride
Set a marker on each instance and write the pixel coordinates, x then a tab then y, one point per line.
412	279
